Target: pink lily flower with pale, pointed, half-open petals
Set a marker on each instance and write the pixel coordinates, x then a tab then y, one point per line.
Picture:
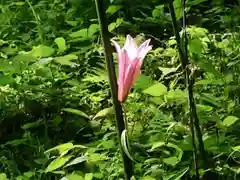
130	59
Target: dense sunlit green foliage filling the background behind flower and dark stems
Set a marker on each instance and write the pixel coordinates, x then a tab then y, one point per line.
57	120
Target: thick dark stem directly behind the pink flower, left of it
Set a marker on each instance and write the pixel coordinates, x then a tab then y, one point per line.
127	163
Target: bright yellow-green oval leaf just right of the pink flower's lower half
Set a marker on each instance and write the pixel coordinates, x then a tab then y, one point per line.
156	90
